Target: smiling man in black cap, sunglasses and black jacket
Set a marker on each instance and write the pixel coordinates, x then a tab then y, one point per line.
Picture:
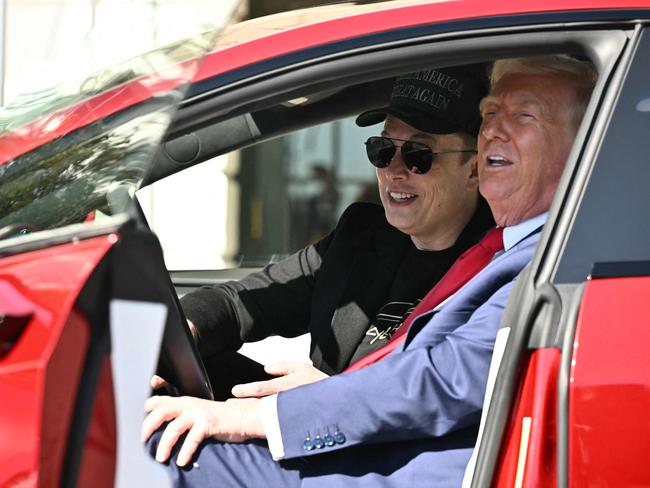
352	289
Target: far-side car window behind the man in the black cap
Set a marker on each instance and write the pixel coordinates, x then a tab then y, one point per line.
258	204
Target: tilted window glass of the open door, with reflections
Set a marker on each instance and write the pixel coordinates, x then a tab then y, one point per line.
78	152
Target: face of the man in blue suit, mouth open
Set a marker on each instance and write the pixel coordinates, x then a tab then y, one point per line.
524	142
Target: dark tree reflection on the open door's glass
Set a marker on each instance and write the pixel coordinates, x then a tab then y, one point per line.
64	182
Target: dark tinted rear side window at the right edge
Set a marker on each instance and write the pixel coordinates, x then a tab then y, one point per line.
611	223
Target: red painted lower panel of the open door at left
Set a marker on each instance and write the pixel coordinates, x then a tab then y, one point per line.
40	373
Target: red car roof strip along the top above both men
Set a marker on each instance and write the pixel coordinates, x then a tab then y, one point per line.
276	35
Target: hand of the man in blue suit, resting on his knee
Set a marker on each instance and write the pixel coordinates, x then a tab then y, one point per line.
234	420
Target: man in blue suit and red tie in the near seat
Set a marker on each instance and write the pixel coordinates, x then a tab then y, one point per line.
411	418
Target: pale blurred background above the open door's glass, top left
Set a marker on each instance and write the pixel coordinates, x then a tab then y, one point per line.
48	40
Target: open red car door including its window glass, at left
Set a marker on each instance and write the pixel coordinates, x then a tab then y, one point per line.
80	278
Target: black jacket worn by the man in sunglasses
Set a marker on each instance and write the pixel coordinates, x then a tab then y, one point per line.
331	289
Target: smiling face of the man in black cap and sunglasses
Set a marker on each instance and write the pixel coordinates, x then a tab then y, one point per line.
433	208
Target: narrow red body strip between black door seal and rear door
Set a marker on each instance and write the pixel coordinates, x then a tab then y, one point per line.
537	401
